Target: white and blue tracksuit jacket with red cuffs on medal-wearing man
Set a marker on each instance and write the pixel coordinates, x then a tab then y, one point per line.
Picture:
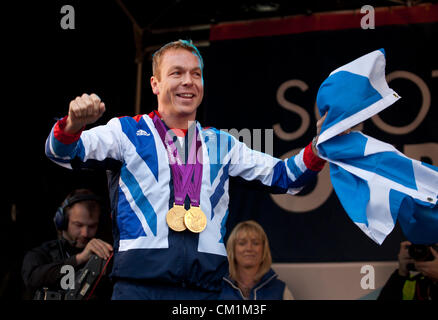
141	193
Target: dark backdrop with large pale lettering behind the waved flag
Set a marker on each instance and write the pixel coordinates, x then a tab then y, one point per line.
266	74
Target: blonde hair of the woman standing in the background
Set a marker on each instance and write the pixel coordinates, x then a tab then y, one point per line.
249	226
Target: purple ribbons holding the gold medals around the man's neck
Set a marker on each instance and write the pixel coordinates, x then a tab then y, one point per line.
182	173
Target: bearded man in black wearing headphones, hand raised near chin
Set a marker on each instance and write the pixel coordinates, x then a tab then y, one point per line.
76	222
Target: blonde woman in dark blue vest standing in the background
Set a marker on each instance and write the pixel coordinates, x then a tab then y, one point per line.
251	276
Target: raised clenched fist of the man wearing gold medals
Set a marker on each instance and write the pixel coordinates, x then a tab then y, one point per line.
83	110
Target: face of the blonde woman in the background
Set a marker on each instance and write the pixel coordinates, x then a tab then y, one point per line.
248	250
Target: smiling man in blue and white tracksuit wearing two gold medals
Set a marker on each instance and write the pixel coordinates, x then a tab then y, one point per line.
159	253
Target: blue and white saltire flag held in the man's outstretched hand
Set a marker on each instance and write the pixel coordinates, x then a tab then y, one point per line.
375	183
